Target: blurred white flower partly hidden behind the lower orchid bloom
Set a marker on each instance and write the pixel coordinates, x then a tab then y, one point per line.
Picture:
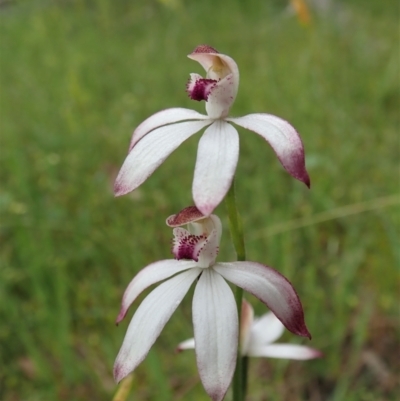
258	338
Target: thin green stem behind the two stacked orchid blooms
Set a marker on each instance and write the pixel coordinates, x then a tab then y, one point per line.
236	229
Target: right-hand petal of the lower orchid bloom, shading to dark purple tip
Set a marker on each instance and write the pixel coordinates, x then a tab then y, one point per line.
270	287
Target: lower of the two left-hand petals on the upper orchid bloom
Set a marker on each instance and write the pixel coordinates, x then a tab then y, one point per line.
151	151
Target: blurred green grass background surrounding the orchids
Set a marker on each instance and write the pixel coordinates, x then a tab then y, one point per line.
78	76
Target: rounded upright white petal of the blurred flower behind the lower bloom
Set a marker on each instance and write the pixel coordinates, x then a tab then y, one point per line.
266	329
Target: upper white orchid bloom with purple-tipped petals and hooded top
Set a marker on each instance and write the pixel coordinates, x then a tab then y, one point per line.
218	151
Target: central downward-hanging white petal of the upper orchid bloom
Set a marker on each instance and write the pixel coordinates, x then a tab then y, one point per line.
217	157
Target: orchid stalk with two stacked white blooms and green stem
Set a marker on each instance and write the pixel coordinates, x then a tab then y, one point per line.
217	156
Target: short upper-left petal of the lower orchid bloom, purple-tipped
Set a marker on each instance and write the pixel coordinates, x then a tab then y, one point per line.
151	274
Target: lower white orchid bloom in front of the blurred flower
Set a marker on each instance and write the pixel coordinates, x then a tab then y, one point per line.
215	317
